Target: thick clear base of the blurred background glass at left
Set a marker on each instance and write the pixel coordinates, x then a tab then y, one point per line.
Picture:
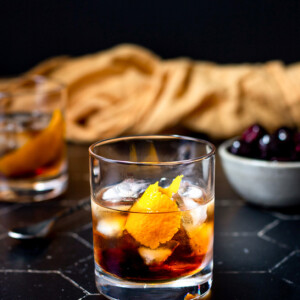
33	190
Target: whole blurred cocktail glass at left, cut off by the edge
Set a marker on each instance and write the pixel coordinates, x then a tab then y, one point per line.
33	165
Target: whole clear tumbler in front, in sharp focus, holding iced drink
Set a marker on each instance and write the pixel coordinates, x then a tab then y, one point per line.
153	216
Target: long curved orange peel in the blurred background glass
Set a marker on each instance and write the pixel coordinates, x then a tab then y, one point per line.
38	151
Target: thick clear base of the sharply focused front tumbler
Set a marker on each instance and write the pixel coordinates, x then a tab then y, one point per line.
113	288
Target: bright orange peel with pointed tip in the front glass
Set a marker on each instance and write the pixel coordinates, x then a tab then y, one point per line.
155	217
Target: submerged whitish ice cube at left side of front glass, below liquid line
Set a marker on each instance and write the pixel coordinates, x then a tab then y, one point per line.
112	226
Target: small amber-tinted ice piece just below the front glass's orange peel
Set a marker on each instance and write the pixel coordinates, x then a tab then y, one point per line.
158	255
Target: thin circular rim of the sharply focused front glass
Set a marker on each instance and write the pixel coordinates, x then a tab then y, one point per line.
153	137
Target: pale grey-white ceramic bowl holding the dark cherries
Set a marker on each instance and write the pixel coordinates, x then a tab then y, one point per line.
265	183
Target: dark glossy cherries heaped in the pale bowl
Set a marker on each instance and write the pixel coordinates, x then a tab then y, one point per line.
281	145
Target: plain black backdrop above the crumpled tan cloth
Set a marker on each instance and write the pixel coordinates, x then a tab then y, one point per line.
222	31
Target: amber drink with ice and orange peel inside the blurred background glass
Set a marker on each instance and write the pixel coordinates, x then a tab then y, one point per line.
31	145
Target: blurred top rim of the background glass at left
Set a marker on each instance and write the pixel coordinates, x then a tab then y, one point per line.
36	79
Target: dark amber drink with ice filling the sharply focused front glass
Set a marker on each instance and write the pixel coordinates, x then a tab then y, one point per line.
124	248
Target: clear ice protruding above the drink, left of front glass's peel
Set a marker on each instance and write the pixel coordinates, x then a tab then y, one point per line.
128	188
